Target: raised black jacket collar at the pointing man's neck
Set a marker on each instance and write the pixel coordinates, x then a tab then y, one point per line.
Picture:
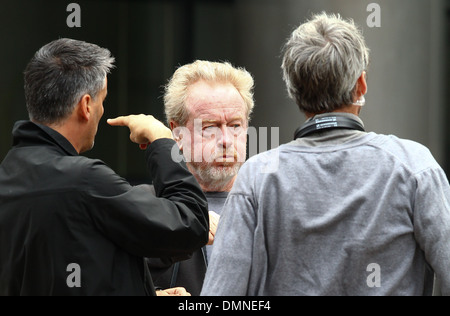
27	133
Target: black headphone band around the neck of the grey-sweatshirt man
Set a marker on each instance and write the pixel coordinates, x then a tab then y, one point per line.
327	122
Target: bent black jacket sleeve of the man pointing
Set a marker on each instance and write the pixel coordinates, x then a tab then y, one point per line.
174	223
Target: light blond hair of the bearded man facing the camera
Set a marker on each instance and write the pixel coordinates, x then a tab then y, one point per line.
177	88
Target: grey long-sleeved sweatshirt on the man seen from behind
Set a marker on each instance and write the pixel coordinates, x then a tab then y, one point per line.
340	212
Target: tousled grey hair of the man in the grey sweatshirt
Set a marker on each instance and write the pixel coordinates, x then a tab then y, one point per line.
322	62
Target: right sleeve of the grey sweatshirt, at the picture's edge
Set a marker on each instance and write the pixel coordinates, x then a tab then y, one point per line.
432	222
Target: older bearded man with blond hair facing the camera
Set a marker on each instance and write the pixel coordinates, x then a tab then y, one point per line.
208	107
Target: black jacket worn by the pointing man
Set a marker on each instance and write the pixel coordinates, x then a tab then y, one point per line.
58	208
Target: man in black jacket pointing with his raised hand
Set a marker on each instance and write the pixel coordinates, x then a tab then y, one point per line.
69	225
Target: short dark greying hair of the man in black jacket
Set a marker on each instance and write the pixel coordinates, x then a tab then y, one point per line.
59	74
